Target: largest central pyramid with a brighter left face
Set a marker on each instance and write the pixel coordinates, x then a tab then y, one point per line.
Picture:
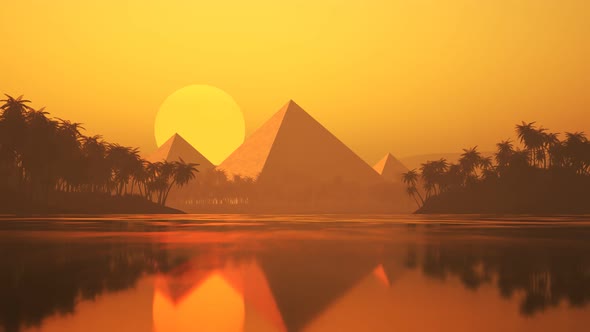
292	147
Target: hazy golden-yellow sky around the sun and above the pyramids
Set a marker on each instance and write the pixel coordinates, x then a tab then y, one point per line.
407	77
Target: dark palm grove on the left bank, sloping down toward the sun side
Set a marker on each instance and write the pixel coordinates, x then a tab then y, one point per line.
42	157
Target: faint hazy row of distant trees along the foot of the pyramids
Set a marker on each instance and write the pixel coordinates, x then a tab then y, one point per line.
214	191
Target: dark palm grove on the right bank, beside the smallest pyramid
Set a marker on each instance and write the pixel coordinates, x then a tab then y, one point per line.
545	174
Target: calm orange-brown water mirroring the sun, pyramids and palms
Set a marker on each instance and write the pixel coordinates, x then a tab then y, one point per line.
294	273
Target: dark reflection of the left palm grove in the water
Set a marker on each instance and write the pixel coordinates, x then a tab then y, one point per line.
40	278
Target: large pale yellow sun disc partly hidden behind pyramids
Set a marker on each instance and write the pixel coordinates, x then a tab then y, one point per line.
206	117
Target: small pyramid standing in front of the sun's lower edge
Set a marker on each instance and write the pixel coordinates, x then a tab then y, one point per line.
177	147
